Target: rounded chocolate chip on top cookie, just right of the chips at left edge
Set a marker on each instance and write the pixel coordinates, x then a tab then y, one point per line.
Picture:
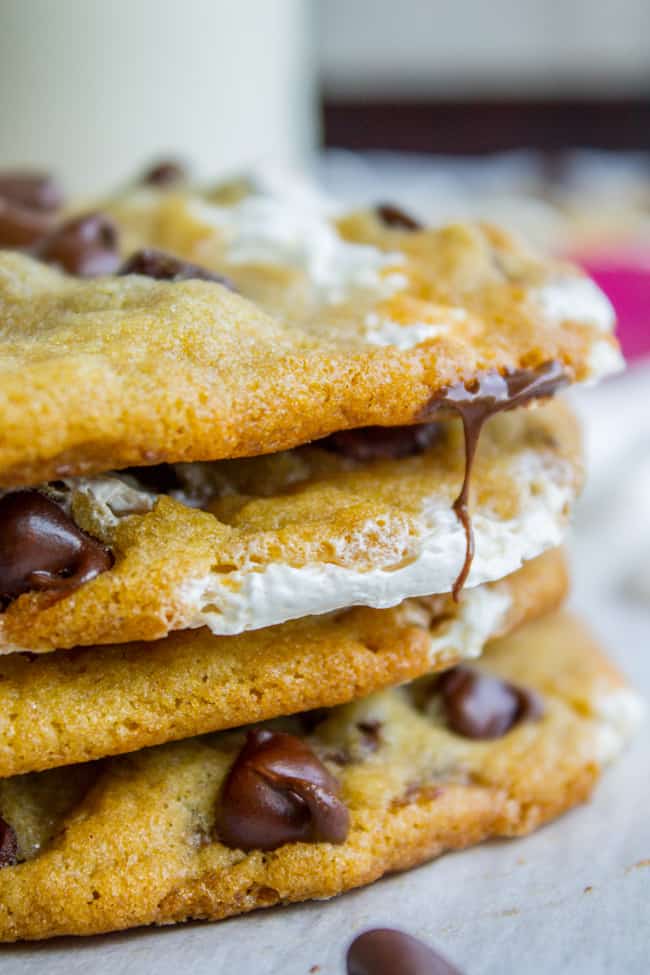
86	245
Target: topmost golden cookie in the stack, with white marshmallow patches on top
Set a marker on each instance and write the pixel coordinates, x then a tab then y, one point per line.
346	327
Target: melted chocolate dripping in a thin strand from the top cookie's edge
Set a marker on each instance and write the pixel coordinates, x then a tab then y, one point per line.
475	402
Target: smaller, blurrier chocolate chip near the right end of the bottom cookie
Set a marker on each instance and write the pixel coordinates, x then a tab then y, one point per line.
480	706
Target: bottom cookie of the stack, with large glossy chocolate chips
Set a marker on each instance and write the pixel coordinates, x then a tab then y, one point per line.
135	840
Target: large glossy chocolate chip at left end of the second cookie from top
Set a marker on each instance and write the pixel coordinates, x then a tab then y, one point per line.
41	548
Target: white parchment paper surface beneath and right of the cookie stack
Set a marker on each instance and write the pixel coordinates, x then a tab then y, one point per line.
573	898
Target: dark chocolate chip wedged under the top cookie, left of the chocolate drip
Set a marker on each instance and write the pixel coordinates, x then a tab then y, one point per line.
382	443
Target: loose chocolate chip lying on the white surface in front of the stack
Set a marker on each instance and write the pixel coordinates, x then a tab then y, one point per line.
384	951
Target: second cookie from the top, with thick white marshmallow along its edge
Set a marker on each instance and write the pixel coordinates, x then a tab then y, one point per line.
295	534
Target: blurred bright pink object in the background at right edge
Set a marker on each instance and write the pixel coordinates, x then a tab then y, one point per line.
624	276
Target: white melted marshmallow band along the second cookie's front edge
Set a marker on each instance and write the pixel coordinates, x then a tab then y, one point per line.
254	597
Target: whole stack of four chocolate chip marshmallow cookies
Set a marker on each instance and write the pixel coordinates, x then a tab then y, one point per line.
282	492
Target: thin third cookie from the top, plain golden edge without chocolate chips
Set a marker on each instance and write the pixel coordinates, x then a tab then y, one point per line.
102	701
